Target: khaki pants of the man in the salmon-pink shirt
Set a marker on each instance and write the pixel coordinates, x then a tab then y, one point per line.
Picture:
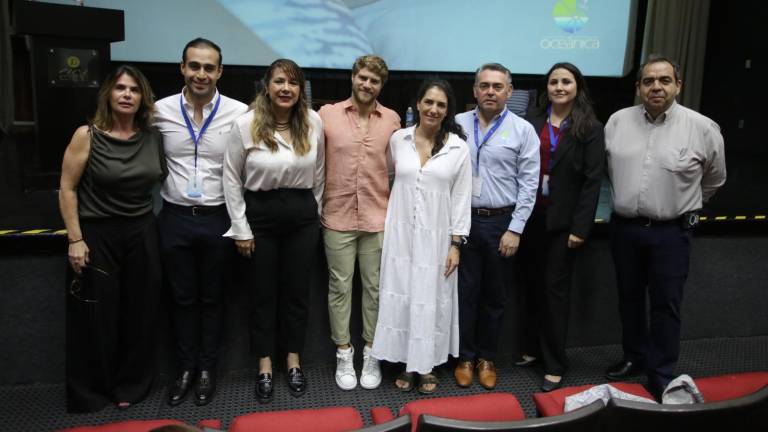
341	249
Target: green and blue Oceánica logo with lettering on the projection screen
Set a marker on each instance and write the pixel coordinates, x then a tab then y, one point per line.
570	16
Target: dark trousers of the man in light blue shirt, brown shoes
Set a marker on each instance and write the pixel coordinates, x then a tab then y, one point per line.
484	277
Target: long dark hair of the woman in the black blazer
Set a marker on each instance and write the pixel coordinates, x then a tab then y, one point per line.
582	117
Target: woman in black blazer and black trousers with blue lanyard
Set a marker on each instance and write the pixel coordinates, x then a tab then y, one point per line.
572	161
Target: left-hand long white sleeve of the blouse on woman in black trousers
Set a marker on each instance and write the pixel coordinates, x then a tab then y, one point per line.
234	163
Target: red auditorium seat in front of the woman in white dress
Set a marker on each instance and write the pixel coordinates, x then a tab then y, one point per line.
483	407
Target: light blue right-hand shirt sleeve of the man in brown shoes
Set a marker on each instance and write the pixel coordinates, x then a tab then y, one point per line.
527	180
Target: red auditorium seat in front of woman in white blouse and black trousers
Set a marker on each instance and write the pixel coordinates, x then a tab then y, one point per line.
335	419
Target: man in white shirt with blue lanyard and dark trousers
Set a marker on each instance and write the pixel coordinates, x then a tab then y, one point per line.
195	125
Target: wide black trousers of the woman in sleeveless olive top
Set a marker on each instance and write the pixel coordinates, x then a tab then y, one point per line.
111	314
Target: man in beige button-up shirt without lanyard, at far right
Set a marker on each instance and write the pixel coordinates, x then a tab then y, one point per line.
665	162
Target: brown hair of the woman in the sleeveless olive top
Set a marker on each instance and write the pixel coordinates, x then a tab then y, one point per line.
142	120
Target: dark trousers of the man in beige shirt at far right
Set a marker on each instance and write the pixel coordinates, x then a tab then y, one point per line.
651	263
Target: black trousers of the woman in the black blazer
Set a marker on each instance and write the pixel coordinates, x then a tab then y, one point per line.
545	268
